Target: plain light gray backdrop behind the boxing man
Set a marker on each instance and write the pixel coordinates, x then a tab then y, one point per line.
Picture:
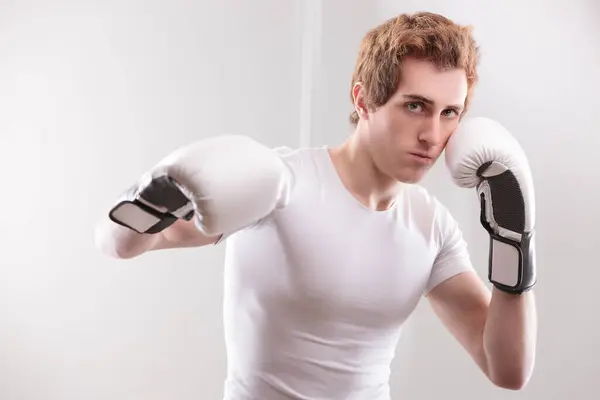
94	92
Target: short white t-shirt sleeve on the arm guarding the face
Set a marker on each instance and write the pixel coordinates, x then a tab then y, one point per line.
453	257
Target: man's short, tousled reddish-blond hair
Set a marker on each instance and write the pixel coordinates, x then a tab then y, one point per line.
423	35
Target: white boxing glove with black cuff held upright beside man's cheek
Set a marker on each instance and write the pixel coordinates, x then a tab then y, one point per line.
482	154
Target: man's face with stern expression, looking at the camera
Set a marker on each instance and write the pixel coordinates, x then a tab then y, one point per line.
407	134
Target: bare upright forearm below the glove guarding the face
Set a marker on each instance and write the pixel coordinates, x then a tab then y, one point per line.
509	338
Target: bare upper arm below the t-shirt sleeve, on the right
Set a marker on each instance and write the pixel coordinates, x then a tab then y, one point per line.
461	303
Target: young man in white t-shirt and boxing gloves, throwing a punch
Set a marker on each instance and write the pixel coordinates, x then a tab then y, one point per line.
329	250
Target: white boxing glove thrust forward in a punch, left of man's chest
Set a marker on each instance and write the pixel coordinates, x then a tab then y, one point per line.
226	182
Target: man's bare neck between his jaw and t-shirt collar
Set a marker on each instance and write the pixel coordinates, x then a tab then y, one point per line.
362	178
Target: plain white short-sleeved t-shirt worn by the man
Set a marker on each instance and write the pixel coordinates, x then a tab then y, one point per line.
316	294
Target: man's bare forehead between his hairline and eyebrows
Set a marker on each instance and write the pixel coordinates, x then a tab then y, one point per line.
425	79
